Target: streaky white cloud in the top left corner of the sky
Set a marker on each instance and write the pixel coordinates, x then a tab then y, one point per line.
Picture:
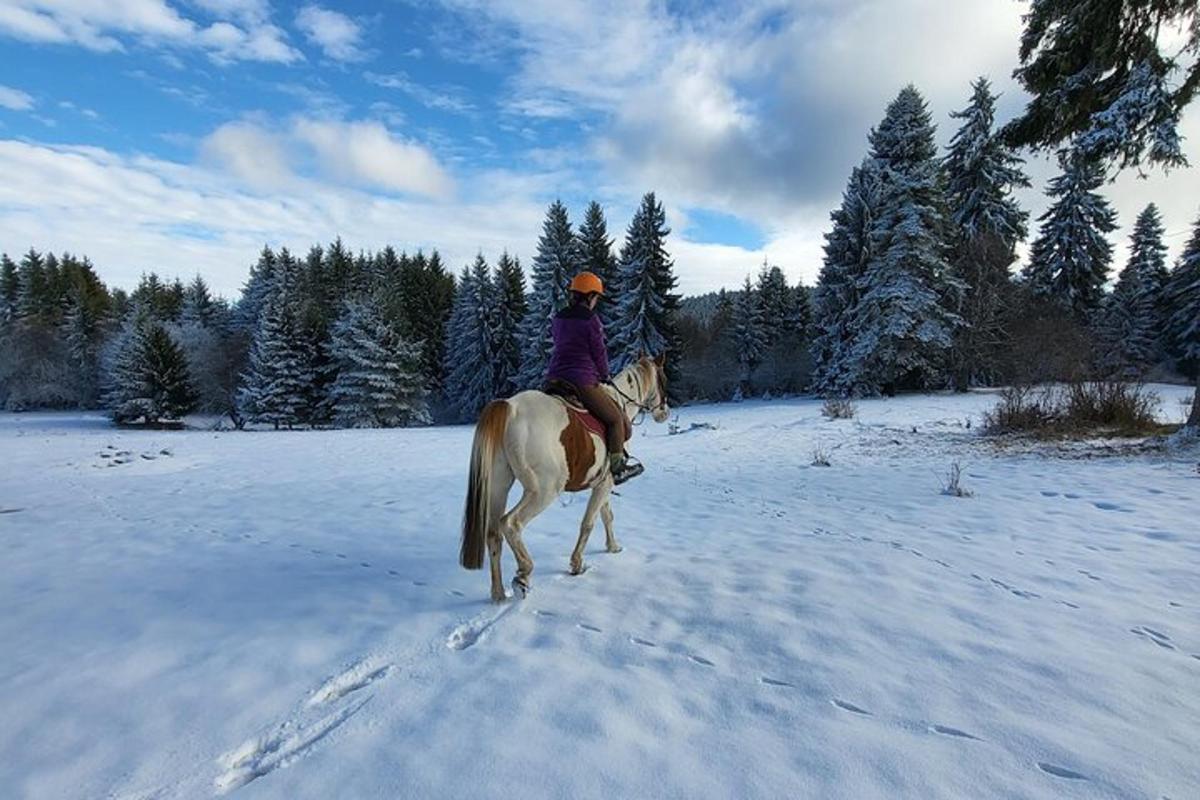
109	26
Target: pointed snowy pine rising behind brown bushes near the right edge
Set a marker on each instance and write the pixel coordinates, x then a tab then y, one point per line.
1132	326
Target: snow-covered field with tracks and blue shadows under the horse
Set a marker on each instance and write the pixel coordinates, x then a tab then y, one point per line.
283	616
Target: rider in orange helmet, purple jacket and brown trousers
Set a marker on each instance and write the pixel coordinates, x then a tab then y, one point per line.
581	360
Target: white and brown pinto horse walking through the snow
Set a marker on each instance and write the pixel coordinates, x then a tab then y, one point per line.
535	438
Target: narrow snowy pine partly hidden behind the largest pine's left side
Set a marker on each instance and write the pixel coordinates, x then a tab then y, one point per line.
849	249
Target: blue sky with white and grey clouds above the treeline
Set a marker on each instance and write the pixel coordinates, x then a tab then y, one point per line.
183	136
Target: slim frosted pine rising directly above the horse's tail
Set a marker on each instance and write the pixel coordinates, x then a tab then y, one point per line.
471	347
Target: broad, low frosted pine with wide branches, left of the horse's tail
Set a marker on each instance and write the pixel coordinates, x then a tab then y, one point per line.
380	380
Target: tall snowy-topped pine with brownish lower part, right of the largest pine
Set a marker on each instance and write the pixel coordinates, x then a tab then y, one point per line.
982	173
